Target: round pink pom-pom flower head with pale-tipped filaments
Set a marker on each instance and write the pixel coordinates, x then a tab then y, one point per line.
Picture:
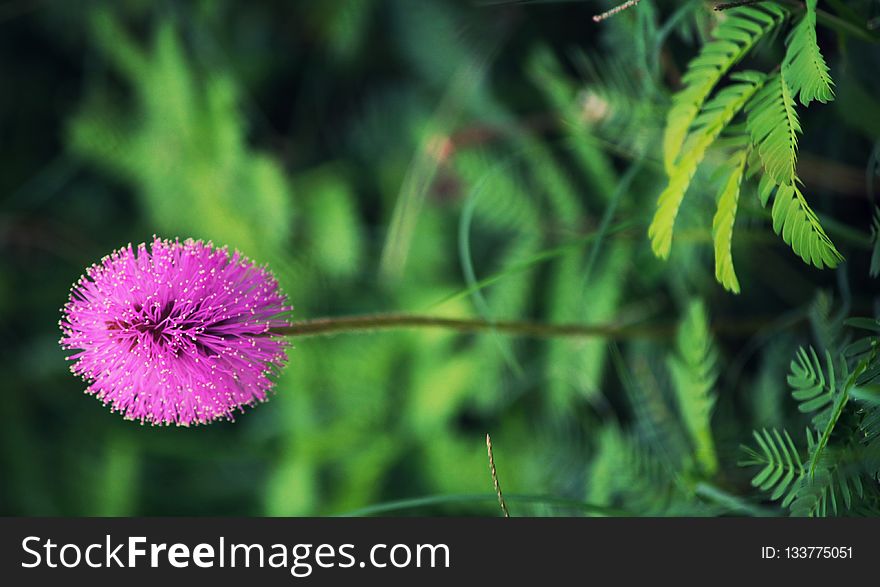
178	334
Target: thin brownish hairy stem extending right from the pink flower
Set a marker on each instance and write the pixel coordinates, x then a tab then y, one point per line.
372	322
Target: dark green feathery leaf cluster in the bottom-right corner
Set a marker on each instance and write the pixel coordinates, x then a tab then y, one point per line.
839	475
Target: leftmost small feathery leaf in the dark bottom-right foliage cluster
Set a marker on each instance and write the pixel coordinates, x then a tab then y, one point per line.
782	468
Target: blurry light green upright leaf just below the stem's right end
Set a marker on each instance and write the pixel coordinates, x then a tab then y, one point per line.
694	372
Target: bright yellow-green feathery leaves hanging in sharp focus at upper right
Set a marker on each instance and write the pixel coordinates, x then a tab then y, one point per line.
773	127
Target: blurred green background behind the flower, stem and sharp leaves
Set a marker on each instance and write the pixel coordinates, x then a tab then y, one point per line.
387	155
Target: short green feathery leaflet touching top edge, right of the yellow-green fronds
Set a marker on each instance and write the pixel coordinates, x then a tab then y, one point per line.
804	66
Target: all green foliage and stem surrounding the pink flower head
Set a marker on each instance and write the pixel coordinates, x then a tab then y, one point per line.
406	166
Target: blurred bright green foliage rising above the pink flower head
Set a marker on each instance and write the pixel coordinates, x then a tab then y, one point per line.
185	145
